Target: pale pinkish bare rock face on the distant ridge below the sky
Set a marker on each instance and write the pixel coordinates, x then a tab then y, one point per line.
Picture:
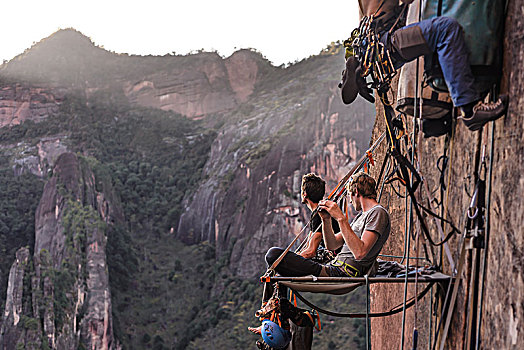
212	85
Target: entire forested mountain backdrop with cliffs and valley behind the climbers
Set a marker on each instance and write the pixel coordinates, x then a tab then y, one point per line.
176	173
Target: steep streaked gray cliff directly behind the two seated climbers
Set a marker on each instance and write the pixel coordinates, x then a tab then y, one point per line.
251	202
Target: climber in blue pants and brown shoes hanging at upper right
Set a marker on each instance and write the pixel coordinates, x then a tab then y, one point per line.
441	35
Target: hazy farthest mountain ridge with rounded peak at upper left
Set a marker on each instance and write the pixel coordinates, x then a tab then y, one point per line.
194	86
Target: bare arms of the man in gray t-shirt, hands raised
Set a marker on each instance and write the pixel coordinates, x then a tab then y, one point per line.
360	247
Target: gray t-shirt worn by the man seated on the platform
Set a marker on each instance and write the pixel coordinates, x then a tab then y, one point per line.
376	220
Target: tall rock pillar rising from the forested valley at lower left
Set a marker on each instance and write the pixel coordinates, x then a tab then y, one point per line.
69	287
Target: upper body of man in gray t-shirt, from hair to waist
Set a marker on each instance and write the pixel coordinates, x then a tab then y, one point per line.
361	241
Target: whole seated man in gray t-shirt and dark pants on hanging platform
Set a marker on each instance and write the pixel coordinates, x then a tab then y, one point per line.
361	241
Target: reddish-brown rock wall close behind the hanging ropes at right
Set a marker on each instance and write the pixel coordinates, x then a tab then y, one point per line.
502	316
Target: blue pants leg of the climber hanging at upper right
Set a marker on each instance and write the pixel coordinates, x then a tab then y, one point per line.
445	37
